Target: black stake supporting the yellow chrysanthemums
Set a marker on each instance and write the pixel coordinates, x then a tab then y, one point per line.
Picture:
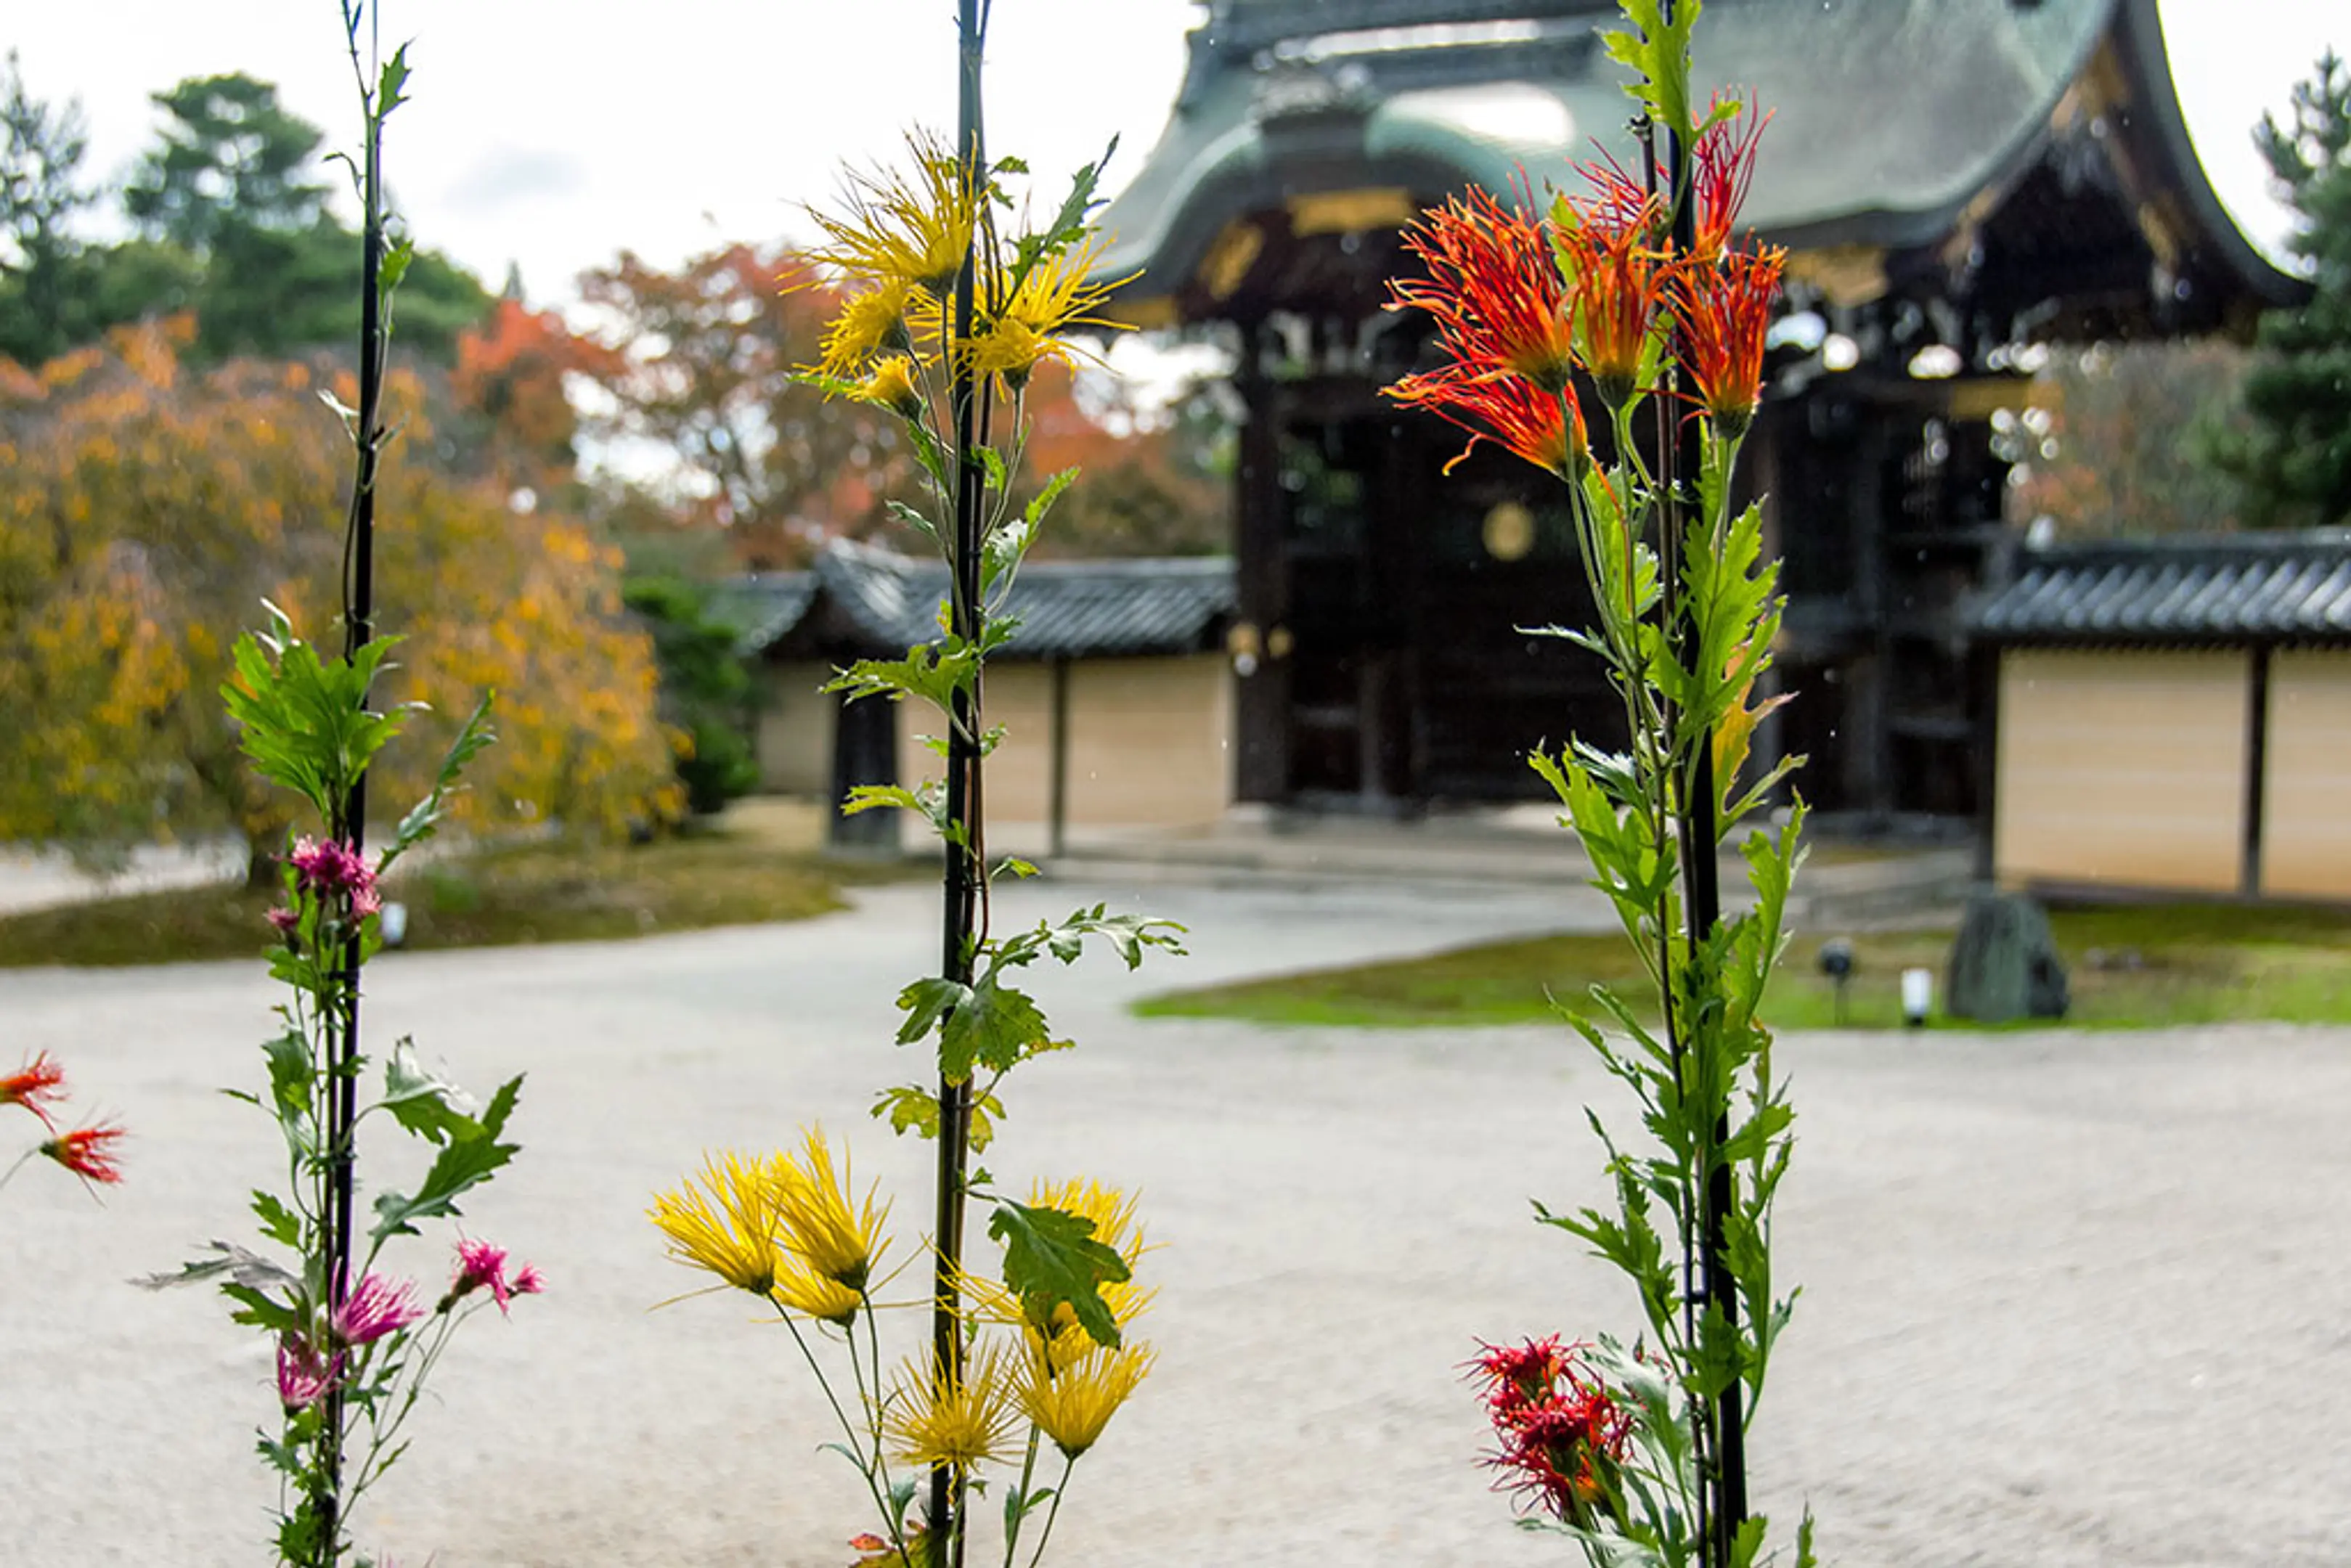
963	878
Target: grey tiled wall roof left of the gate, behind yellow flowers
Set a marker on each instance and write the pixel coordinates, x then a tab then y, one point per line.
1069	610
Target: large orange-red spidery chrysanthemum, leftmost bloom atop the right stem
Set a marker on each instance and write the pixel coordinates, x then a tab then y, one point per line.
1494	290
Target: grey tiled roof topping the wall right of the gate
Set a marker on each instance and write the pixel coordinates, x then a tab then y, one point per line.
2244	589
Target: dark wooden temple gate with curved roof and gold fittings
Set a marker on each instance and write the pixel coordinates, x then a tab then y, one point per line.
1957	180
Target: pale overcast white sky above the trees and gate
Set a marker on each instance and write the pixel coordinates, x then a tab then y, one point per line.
556	133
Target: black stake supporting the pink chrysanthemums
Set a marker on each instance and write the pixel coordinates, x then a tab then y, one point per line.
359	626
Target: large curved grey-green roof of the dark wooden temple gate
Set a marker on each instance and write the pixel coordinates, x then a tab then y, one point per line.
1889	116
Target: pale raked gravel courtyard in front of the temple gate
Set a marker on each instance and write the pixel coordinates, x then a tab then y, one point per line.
2070	1299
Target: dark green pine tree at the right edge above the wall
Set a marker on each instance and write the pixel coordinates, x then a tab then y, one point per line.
2293	467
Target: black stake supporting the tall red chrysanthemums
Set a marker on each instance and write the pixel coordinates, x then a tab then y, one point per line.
1703	904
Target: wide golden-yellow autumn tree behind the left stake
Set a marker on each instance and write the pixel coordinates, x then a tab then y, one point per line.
149	509
